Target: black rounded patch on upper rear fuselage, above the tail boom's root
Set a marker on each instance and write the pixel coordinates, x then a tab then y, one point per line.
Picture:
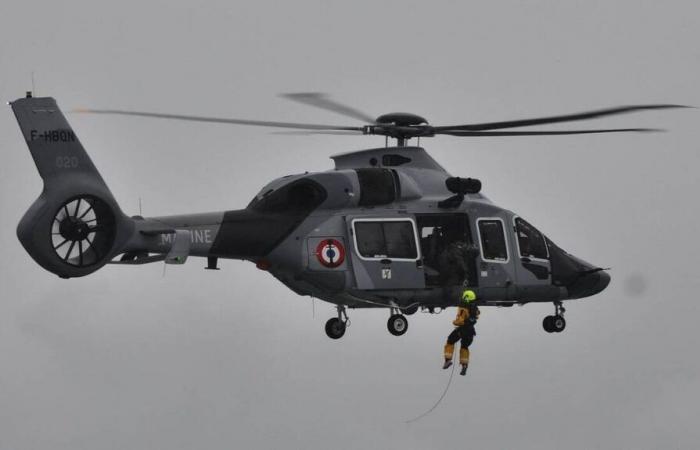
297	197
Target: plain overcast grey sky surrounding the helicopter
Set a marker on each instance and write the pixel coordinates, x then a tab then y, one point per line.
127	358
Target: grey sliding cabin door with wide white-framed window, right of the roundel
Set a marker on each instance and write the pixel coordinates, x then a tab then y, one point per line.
385	253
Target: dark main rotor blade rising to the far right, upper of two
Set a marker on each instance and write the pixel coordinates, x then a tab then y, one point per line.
557	119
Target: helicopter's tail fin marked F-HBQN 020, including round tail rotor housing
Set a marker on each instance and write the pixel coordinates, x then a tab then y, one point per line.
76	225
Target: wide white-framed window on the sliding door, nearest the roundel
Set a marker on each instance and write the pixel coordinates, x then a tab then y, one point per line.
379	239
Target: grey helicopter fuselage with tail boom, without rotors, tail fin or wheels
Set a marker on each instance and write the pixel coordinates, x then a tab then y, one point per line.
370	233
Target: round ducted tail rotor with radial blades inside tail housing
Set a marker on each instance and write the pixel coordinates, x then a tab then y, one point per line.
83	231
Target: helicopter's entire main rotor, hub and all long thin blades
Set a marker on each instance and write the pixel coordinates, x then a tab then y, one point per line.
403	126
